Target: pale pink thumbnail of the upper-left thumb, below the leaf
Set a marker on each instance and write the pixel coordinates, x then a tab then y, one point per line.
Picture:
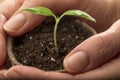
15	23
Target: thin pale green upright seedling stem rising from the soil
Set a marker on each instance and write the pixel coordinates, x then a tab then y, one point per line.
55	35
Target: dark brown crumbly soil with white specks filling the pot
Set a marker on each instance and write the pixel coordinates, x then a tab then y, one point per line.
36	48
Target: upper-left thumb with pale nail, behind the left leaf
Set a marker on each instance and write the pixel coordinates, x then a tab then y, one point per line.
22	22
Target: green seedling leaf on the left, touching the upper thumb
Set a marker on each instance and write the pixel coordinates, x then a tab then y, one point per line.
40	10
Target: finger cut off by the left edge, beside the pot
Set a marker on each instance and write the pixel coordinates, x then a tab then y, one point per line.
2	41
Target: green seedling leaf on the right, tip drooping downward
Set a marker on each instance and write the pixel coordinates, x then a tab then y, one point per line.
80	14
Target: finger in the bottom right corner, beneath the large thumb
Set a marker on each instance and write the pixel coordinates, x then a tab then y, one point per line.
109	71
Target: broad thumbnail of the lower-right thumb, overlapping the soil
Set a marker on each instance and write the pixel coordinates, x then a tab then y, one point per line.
77	62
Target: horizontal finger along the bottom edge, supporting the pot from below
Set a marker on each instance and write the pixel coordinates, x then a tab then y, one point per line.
24	72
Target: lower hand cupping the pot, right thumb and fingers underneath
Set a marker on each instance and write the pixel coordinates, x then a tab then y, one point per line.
99	63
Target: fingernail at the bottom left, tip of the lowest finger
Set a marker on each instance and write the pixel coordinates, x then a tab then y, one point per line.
12	75
